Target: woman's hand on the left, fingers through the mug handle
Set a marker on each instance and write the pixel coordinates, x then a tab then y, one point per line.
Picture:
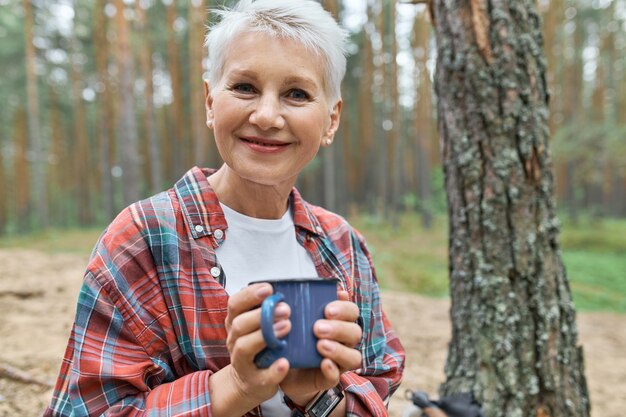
245	341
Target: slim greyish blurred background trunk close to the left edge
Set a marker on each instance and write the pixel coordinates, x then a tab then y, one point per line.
38	159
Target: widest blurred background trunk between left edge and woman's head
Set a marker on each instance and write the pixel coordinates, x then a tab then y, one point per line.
129	156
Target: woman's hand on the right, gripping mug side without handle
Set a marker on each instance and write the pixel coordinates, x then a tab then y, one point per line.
338	334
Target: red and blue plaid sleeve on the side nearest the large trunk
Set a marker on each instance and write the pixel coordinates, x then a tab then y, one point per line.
369	389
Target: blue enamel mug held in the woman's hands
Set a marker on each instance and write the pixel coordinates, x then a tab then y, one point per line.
307	298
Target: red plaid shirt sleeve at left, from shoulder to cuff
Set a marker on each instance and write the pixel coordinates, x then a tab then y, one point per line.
118	361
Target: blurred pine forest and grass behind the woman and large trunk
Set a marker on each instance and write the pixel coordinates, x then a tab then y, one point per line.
102	108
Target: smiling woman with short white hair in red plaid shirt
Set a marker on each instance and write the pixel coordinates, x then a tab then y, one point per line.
166	322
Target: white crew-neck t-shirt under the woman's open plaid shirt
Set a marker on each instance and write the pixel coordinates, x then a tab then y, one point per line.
256	249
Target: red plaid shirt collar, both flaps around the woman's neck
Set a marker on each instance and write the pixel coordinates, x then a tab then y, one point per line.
203	213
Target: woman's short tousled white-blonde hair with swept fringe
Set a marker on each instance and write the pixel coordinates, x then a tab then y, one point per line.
303	21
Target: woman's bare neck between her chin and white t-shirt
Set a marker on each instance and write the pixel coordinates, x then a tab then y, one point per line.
248	197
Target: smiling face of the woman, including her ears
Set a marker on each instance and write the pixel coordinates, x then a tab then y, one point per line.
269	111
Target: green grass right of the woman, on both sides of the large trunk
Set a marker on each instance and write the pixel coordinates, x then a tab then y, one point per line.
413	259
